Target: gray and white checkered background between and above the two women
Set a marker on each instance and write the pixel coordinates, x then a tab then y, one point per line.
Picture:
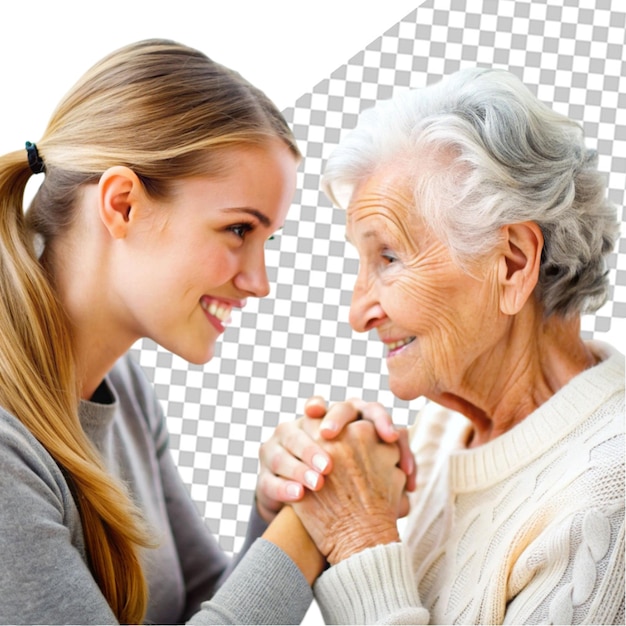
297	342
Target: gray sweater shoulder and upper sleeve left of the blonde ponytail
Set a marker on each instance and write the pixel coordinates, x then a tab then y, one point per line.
44	577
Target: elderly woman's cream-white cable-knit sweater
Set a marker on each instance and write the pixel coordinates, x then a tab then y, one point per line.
527	529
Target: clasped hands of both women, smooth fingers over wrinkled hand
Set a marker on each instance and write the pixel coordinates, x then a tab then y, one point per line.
365	465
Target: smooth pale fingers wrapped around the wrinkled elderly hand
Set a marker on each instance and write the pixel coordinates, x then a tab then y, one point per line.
292	459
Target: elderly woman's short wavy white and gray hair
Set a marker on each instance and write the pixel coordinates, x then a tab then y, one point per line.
514	160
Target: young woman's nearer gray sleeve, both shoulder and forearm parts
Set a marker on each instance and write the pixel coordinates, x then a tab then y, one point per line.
44	578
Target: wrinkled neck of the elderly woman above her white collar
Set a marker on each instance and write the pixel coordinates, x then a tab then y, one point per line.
527	366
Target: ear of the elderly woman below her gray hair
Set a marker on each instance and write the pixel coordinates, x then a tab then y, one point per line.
518	265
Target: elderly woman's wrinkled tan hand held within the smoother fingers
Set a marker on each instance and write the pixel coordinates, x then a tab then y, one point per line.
362	497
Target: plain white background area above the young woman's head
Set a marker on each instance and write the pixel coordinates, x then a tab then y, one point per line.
284	47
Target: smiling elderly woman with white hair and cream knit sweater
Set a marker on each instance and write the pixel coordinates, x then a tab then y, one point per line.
482	228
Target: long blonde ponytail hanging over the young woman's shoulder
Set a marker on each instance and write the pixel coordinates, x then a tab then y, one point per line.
38	384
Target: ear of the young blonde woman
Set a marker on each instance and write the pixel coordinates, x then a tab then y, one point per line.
119	191
